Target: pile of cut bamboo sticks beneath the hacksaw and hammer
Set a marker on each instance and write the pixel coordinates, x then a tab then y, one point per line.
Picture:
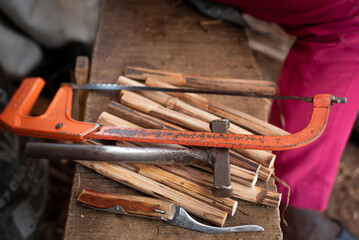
188	186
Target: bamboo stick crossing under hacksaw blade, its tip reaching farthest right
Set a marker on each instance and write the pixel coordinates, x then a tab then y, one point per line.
242	119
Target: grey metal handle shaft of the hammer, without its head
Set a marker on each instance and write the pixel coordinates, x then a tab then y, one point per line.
117	154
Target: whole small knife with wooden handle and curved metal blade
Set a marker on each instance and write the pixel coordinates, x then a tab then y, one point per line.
153	208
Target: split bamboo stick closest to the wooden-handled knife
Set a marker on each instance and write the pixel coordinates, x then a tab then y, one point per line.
151	187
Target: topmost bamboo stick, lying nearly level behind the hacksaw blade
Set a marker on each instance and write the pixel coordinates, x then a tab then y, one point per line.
255	86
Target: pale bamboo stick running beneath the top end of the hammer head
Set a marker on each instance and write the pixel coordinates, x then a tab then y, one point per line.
148	106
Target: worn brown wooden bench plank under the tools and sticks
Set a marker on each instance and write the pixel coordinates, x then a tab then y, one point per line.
156	34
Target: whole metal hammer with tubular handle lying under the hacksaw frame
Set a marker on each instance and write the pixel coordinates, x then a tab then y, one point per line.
218	158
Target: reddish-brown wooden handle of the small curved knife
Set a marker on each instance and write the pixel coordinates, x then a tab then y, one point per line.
137	205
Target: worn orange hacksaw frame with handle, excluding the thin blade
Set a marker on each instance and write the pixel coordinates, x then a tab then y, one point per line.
56	123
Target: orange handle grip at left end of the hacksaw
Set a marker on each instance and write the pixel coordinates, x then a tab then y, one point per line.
55	123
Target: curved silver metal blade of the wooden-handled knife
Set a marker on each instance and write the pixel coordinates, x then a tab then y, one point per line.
183	219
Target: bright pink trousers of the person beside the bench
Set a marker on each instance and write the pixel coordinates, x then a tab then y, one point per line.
324	59
